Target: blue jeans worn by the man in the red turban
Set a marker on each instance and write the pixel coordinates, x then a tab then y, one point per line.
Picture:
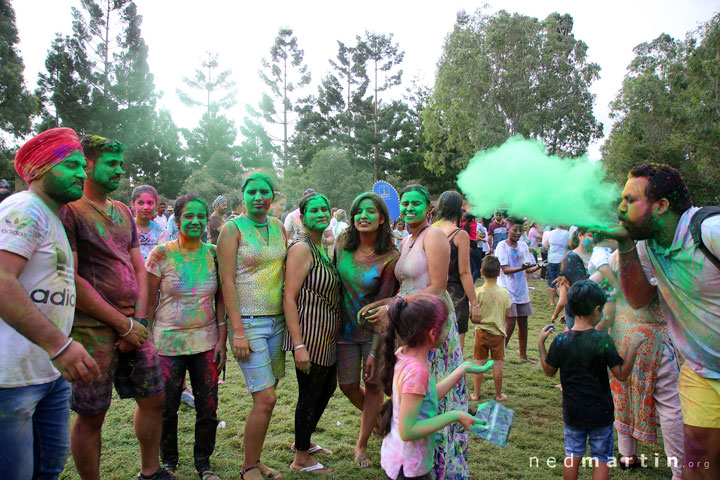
34	431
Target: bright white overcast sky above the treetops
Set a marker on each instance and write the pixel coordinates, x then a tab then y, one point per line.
180	32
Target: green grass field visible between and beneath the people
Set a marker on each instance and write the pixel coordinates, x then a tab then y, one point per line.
537	430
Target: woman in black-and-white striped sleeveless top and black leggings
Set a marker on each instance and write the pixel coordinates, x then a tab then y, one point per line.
312	313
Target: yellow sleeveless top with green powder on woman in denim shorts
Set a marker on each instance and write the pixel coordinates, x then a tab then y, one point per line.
259	268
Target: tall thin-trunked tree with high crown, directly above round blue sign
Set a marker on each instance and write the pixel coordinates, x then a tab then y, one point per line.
383	56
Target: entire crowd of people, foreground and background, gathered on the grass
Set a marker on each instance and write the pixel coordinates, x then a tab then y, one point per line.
95	293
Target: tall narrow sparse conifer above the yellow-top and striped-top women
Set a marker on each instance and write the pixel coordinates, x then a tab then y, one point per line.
283	73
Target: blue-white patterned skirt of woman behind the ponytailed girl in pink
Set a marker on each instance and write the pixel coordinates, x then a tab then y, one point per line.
450	457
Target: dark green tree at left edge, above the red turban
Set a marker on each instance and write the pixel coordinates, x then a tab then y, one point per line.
17	105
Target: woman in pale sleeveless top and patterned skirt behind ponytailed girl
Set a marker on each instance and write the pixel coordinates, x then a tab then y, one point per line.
423	267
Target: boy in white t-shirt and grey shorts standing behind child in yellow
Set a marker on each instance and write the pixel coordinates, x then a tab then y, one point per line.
516	261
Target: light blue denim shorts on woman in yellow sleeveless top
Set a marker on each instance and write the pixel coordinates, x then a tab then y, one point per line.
267	360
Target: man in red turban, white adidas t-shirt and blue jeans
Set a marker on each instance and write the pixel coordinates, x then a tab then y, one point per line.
37	305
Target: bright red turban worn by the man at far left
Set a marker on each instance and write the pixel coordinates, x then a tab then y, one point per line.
44	151
